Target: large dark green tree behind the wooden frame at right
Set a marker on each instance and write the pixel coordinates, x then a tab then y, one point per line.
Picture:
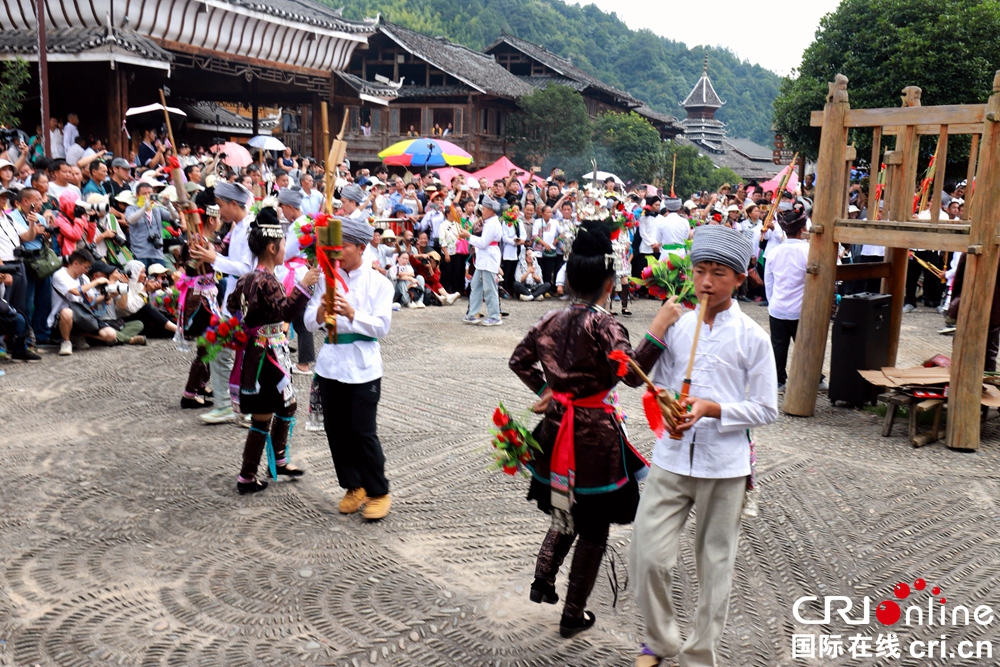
947	47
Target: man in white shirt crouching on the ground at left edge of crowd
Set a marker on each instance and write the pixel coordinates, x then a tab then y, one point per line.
70	285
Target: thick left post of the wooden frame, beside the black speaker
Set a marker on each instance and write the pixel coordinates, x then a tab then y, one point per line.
814	323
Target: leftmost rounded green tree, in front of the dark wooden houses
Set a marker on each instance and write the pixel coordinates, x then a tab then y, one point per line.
552	125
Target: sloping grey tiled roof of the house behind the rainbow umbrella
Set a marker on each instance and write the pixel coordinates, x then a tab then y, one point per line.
478	70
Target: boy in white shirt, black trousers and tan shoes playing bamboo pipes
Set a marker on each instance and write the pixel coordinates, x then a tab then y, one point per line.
349	372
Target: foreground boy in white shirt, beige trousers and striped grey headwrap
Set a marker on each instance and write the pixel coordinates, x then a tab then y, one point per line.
733	389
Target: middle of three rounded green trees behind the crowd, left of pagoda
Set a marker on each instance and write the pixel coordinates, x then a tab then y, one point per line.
627	145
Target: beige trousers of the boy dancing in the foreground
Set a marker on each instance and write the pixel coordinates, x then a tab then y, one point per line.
666	503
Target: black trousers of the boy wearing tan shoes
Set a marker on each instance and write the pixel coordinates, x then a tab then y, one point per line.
349	416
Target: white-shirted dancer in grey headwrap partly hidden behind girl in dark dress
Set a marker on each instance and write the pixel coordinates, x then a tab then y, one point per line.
234	259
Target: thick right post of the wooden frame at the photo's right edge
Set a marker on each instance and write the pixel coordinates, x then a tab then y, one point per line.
969	352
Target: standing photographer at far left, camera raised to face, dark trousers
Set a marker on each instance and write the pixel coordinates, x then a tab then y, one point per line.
38	259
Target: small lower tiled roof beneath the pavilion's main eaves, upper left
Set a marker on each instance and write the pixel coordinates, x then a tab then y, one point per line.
80	40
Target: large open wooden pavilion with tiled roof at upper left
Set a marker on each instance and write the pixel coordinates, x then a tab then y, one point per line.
107	56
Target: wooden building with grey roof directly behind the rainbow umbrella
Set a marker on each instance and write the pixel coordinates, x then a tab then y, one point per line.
425	83
